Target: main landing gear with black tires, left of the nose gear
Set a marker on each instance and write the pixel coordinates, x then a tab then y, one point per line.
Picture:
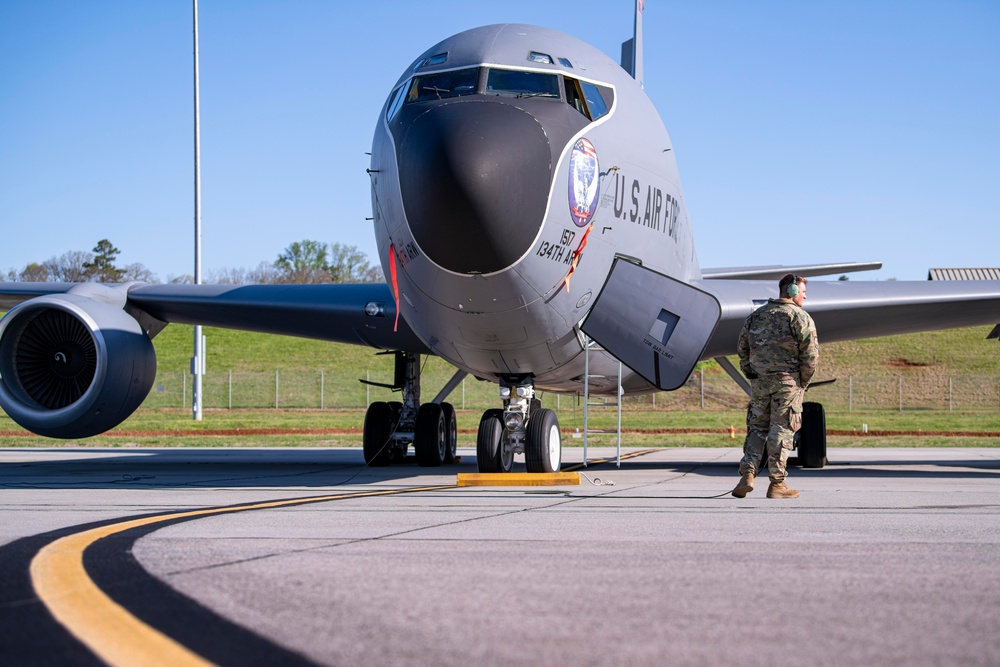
390	427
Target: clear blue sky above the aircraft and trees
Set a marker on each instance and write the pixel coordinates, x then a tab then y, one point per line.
804	131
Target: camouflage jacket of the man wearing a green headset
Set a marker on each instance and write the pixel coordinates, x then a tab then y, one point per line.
779	337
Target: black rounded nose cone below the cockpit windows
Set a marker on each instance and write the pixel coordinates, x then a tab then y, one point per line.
474	177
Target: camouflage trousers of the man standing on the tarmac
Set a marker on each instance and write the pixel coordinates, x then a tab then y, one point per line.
774	414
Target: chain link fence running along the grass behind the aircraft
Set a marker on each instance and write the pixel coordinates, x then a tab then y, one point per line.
326	390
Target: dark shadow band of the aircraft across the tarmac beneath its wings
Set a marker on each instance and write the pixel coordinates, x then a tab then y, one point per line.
256	468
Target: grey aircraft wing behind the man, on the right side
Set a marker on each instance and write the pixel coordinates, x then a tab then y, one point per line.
848	310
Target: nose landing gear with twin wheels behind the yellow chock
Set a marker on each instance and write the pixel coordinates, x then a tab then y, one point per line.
522	427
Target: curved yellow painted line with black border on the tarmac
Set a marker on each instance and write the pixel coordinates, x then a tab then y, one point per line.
104	626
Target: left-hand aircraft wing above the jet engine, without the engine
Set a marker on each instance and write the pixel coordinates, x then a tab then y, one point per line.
326	312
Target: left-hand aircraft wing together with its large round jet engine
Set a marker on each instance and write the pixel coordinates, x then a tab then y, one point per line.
77	359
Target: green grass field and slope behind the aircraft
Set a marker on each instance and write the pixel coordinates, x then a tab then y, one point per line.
963	353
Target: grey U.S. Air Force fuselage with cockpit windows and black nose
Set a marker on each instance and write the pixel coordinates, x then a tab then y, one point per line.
507	159
